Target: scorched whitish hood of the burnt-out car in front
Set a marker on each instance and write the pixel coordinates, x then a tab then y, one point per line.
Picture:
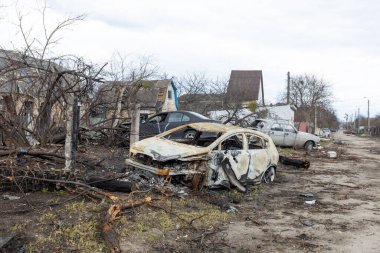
161	149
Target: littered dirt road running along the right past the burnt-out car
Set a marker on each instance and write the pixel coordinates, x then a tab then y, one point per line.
345	217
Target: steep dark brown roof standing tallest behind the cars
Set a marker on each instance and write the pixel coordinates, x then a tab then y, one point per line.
244	85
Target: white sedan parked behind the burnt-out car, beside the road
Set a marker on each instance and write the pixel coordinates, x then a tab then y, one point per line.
285	134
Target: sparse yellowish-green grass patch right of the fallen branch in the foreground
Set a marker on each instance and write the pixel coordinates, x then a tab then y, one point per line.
180	213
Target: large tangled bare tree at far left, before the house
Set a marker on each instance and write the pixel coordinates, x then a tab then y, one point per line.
37	87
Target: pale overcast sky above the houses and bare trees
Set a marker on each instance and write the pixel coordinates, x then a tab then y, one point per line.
338	41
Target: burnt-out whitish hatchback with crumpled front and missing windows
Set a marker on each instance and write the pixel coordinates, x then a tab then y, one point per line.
216	155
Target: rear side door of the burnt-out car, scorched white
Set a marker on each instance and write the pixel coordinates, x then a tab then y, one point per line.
259	156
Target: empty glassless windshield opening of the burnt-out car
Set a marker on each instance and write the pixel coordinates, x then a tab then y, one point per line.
193	137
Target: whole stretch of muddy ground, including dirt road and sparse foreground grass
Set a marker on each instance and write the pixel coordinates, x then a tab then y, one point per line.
269	218
